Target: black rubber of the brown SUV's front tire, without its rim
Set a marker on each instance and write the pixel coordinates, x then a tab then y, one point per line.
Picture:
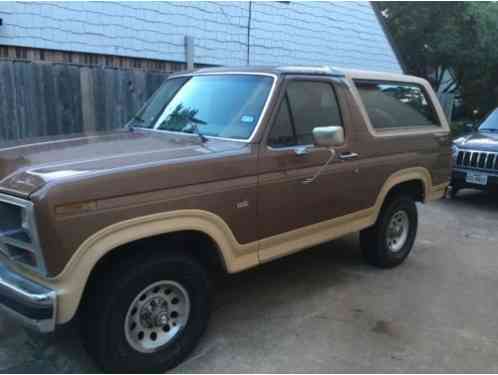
108	302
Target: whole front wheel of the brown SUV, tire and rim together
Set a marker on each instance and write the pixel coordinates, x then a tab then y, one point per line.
146	315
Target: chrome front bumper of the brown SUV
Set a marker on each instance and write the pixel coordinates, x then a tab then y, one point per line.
30	303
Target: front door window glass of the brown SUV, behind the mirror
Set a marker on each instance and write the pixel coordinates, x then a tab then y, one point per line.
307	105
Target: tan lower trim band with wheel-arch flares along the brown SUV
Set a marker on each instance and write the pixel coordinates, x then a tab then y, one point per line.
237	257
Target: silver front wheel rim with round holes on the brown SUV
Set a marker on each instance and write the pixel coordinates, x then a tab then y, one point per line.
156	316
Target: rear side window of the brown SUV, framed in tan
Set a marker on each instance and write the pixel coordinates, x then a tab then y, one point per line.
393	105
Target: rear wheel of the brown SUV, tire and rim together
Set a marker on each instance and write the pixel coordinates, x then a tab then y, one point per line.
391	239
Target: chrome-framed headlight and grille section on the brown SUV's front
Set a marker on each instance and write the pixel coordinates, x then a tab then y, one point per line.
18	233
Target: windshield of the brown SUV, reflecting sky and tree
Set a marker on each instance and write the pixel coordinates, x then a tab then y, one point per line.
227	106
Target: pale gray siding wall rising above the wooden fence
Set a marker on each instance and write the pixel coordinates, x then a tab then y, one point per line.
343	34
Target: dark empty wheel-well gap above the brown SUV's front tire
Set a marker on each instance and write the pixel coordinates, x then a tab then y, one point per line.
195	243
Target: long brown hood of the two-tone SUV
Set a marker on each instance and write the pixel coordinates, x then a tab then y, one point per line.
28	166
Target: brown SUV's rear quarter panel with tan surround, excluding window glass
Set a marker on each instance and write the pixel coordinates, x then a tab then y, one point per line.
383	153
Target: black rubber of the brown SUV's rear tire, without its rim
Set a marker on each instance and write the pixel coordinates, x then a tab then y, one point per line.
373	240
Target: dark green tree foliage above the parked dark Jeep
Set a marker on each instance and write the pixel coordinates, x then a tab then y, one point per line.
461	37
